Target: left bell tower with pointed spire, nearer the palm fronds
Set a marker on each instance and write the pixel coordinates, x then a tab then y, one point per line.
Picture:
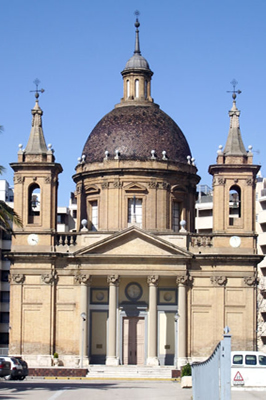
35	187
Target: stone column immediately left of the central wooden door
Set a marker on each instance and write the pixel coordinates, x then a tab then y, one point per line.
112	358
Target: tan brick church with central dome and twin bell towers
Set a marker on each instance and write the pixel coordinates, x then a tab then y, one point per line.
133	284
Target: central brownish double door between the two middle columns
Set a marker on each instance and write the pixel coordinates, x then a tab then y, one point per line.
133	341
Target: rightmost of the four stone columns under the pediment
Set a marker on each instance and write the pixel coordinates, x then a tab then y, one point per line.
182	282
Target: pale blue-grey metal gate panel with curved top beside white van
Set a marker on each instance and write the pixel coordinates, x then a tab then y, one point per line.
211	379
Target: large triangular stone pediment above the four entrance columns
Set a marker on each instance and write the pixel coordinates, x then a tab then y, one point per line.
134	242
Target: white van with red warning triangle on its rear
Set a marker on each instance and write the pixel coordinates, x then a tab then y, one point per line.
248	368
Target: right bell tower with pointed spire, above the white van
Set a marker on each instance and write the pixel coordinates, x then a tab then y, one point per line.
234	179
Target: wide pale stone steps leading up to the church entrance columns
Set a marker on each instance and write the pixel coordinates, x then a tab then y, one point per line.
129	371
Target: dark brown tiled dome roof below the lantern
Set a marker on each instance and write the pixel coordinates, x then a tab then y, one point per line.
134	131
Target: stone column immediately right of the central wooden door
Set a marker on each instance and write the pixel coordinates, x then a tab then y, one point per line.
152	321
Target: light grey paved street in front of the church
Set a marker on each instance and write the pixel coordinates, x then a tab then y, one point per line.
41	389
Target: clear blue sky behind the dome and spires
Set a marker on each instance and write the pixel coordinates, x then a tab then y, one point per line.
77	48
